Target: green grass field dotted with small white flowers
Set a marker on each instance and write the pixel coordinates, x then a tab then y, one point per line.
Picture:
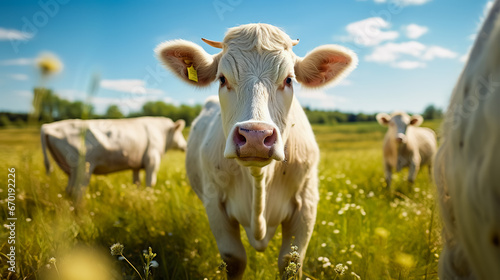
376	233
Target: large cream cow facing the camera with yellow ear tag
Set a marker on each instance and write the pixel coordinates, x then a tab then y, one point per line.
252	157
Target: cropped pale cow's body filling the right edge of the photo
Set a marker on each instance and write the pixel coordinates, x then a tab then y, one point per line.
467	169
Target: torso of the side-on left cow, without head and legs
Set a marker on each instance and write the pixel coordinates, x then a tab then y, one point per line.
109	145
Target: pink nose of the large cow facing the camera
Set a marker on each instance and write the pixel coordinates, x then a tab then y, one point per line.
255	141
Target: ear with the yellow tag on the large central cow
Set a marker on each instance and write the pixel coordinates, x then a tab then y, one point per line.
179	55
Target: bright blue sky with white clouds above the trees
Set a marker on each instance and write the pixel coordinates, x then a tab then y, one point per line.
410	51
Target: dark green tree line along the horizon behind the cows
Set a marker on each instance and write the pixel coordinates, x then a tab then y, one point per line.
52	107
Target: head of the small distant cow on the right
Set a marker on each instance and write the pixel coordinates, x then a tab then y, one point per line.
398	123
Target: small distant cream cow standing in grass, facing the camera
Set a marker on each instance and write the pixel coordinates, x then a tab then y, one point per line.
406	144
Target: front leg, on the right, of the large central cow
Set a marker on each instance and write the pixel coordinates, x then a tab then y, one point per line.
297	231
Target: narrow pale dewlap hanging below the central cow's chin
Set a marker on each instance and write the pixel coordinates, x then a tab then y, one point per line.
258	223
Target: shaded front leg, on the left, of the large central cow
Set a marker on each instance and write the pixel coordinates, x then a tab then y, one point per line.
227	236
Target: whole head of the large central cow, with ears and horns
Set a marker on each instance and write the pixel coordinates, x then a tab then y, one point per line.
256	70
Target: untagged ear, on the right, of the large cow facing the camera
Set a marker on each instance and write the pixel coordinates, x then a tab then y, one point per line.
325	64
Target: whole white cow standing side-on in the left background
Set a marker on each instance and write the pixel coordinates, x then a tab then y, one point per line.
108	146
